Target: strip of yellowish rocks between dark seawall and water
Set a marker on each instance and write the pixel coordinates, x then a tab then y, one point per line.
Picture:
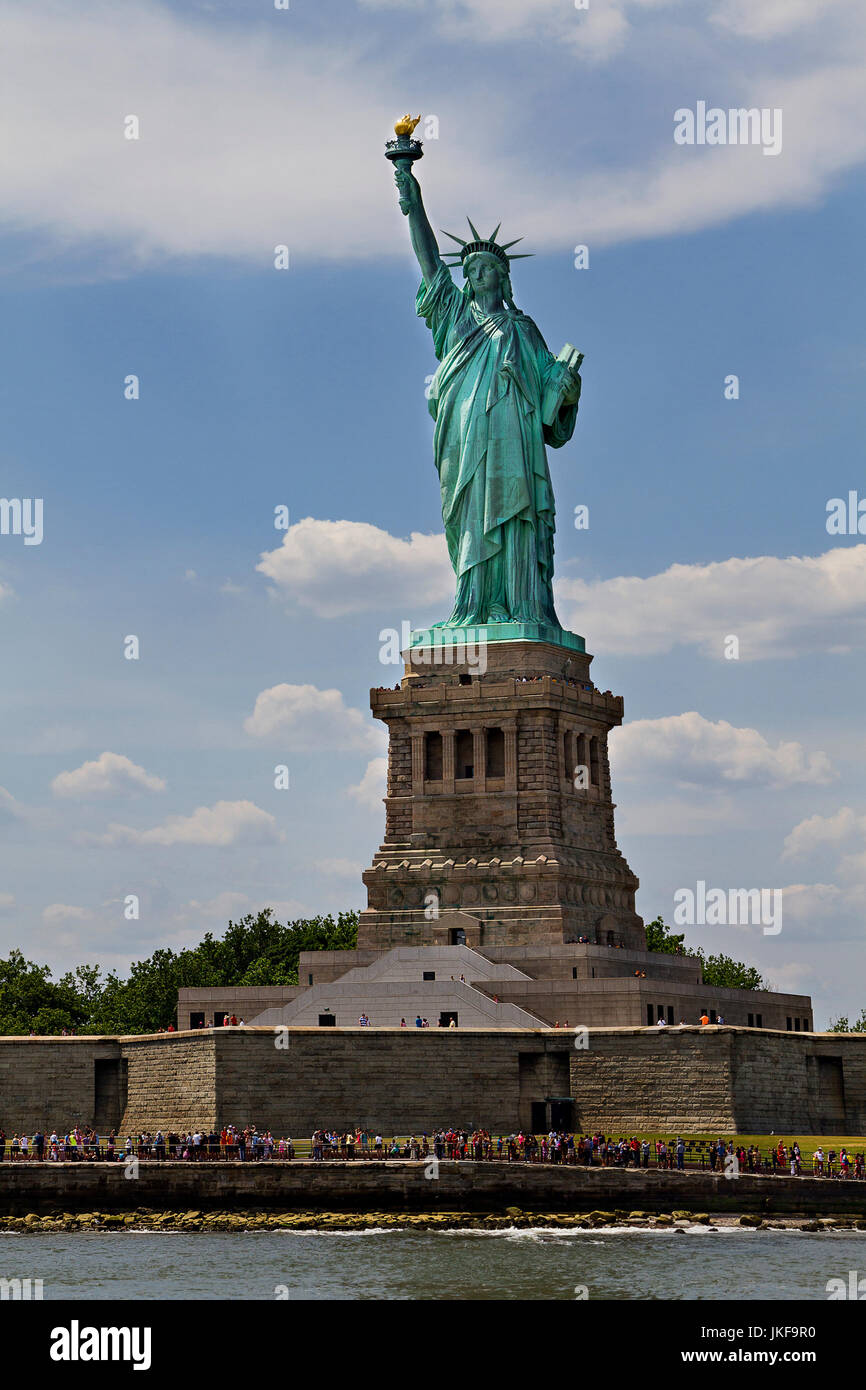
318	1221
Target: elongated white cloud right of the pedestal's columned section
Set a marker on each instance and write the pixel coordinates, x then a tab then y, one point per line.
692	750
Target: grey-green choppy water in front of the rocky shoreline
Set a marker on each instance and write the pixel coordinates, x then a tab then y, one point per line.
540	1264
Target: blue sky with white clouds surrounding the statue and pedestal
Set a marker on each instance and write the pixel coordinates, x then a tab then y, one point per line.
307	389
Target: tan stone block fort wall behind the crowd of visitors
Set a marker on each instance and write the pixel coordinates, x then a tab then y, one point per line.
696	1081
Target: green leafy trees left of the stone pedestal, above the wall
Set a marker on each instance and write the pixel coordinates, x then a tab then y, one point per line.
258	950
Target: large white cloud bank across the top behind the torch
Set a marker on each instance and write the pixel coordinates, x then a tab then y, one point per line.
224	165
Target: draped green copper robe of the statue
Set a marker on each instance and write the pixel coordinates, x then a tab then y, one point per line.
490	451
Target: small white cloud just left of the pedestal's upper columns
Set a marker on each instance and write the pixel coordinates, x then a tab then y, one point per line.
302	718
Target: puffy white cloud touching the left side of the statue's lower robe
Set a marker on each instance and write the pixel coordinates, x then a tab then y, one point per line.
341	568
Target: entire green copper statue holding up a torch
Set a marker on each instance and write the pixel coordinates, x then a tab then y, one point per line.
498	398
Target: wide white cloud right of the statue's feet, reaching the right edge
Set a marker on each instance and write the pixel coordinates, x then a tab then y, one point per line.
775	607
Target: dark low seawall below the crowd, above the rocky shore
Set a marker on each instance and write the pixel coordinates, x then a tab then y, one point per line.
408	1186
